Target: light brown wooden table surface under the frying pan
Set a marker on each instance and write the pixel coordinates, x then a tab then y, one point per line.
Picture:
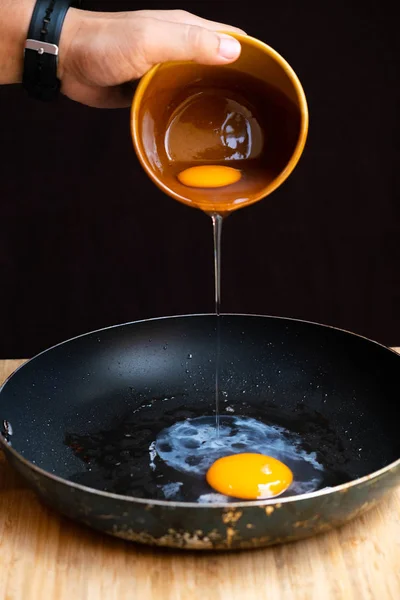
45	556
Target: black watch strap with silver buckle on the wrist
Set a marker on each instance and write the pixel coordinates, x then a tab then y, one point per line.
41	49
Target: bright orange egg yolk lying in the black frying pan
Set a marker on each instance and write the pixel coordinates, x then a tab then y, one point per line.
249	476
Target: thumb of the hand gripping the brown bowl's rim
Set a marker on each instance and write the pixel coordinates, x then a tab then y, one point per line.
165	41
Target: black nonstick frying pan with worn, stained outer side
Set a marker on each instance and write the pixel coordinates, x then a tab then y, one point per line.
77	417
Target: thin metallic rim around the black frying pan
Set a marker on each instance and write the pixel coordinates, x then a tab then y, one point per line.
212	505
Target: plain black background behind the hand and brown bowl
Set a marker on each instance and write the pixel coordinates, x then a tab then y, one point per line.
86	240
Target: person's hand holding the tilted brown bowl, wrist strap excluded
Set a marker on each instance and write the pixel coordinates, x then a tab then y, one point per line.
102	53
